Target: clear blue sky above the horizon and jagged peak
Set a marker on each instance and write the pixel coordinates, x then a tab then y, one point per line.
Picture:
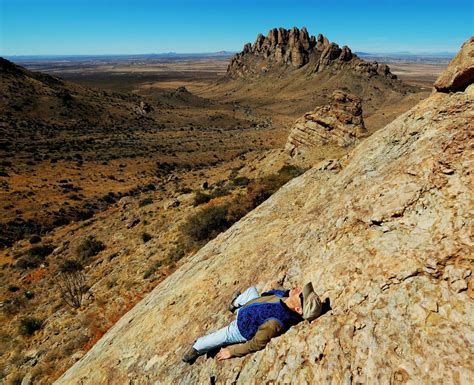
61	27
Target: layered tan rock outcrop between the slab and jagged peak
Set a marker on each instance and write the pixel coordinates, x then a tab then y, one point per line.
339	123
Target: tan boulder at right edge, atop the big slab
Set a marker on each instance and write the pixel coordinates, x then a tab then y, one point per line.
460	72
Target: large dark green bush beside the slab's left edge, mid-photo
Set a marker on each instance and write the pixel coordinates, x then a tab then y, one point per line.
207	223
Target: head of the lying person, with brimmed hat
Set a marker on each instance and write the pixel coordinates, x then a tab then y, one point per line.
305	302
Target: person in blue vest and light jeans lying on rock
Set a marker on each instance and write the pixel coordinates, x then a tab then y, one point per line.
259	319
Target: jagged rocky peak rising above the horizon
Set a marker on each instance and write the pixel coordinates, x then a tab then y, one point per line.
296	48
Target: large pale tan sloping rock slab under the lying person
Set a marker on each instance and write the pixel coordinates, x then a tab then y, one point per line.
386	239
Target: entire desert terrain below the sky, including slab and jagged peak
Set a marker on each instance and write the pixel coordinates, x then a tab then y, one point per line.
139	191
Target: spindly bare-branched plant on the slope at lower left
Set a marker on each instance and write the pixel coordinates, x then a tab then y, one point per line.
71	283
